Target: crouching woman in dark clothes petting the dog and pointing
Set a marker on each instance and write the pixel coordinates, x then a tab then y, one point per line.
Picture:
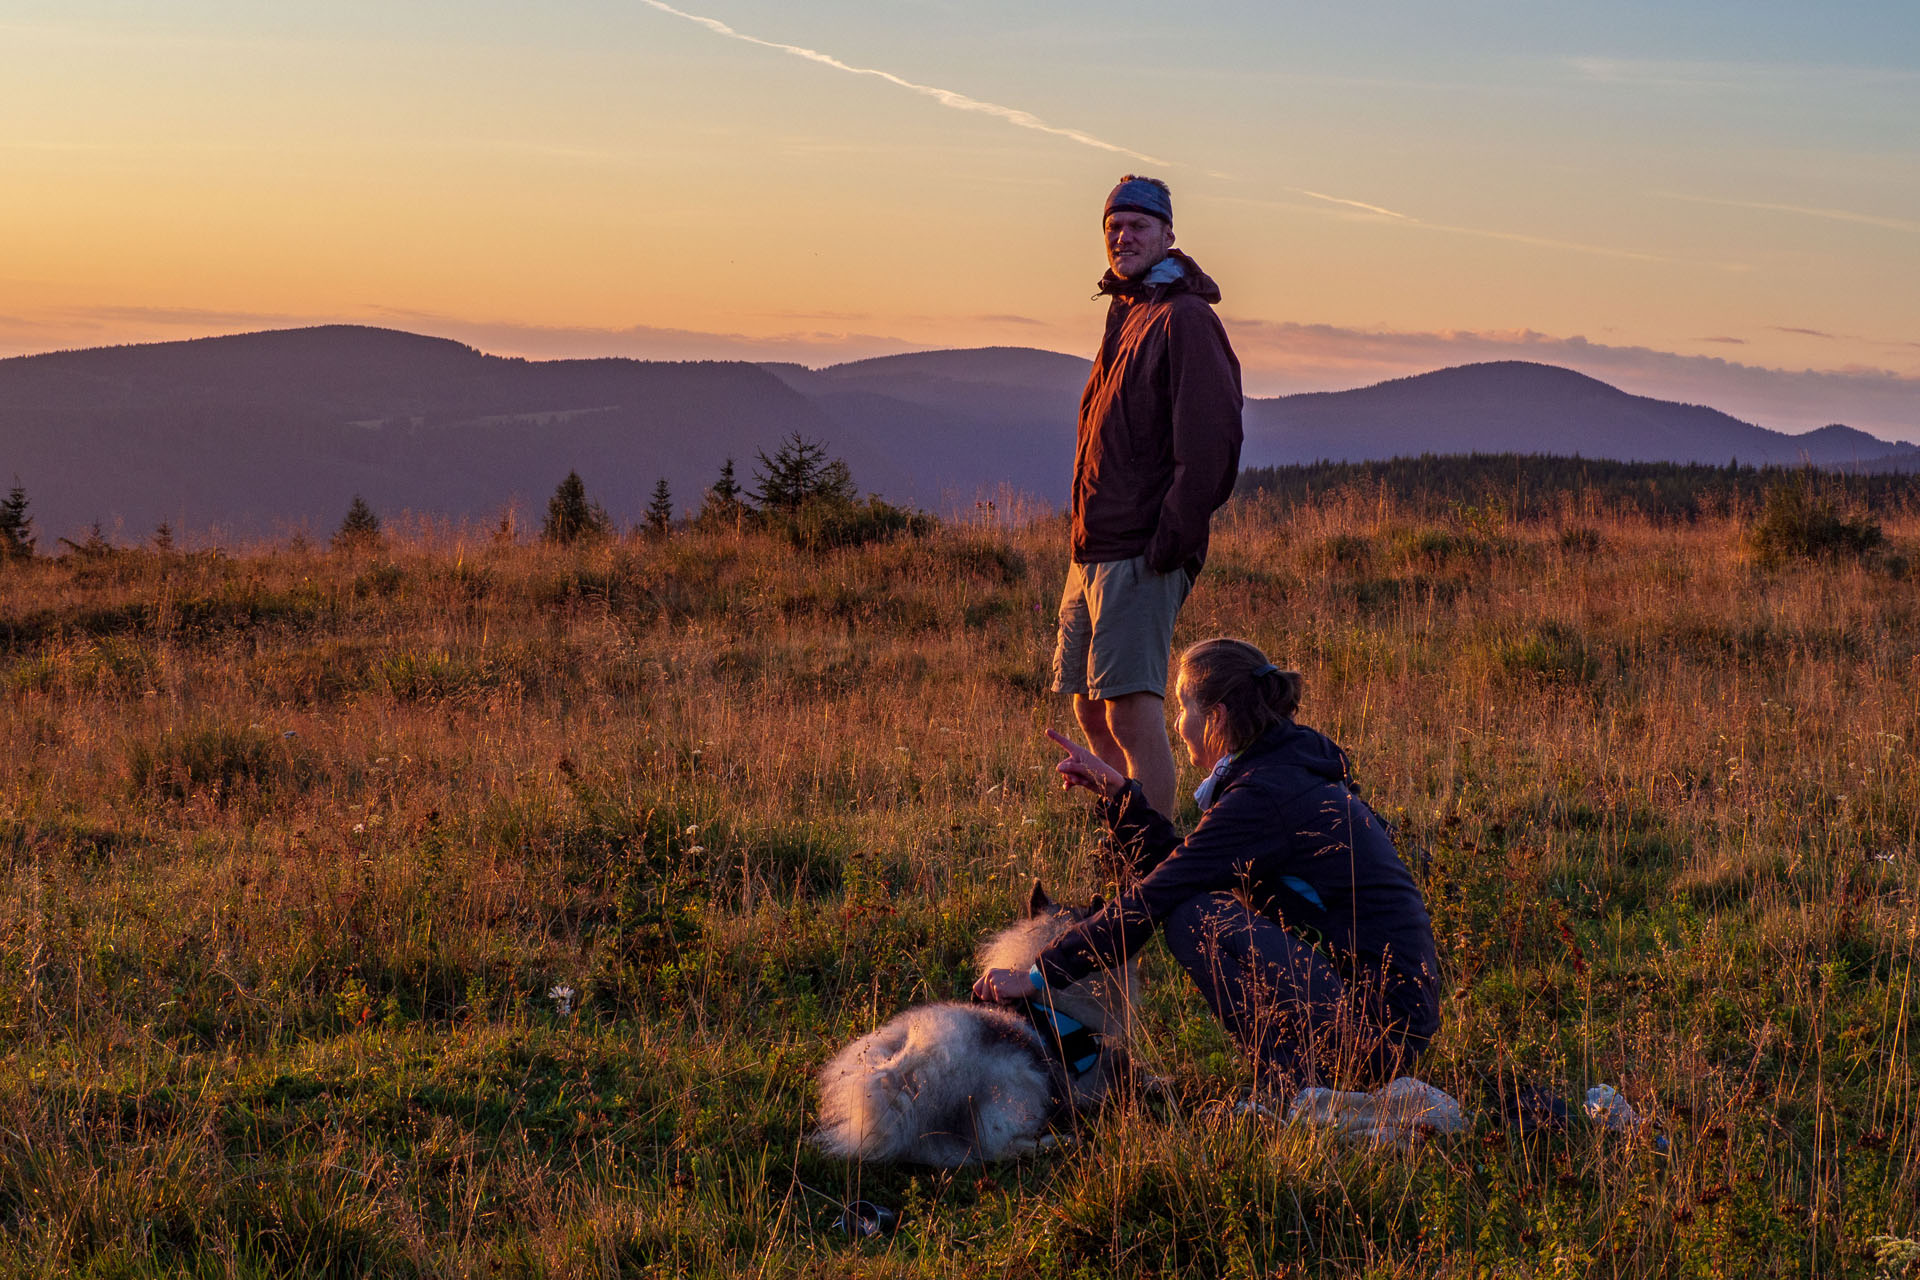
1287	905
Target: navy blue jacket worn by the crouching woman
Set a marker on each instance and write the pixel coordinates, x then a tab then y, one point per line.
1289	832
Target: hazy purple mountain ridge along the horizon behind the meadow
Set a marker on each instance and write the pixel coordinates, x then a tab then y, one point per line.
277	431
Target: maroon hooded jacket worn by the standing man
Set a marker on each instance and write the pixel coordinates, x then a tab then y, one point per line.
1161	425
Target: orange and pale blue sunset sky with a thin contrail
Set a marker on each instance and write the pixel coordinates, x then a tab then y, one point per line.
1710	202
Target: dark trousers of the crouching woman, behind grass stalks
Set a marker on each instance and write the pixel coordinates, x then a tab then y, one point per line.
1303	1020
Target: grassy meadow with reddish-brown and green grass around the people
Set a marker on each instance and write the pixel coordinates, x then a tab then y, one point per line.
304	851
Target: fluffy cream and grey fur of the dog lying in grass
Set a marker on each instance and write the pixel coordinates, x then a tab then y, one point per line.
972	1083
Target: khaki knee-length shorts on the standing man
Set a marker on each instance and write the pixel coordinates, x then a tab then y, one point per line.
1116	628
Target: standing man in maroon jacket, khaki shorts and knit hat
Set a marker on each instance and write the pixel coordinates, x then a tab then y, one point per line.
1159	454
